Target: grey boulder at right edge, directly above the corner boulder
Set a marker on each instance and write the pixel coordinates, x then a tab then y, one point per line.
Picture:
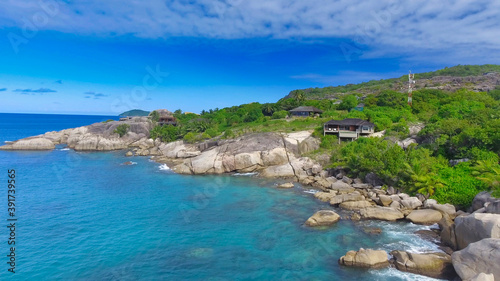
474	227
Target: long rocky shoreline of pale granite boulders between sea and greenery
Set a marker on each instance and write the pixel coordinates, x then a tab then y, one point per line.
471	241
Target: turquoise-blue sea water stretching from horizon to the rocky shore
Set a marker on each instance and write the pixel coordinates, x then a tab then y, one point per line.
86	216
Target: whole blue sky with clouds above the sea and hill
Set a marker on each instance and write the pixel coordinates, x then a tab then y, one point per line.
105	57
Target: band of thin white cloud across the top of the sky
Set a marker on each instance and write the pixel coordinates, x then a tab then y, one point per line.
383	27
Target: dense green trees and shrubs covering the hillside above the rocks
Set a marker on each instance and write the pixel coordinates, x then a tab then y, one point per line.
460	124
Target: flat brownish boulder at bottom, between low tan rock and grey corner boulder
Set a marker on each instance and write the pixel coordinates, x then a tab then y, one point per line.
436	265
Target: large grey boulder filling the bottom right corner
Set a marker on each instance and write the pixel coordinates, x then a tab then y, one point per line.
479	257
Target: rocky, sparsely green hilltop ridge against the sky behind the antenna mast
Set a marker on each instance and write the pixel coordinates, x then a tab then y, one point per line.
473	77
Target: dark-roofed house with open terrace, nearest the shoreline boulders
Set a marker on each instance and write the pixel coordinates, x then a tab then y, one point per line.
349	128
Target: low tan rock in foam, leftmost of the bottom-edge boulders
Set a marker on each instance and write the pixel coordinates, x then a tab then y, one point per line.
365	258
